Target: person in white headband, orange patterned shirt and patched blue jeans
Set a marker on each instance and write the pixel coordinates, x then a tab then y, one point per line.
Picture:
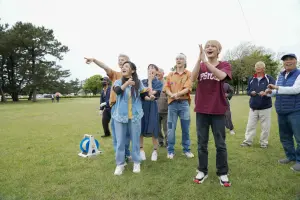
178	87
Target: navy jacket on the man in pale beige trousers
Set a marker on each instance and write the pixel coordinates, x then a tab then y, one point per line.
258	102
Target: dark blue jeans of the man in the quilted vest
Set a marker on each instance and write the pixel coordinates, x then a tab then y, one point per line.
289	126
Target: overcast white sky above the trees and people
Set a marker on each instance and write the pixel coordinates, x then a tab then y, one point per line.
156	31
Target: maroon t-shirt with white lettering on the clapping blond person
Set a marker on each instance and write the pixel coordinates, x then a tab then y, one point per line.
210	96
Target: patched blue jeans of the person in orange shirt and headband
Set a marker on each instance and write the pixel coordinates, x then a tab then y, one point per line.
179	109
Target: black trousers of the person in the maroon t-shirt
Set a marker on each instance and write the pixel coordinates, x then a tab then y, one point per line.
216	122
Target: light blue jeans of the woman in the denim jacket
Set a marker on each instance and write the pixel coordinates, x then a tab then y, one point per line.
134	129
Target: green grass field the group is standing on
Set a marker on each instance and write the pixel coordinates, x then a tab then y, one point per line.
40	142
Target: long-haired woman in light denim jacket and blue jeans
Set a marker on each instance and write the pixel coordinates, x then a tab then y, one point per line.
127	115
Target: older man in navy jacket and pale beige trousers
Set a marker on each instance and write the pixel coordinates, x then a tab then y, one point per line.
260	106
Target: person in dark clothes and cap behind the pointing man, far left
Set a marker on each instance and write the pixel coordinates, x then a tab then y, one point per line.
104	106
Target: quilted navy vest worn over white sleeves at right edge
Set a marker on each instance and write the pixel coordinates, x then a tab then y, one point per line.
284	103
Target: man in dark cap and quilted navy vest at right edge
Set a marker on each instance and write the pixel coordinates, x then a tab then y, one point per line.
287	104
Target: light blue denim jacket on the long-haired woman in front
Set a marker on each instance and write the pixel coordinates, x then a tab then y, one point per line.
120	112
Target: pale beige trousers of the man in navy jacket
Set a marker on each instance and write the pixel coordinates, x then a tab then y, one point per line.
265	119
